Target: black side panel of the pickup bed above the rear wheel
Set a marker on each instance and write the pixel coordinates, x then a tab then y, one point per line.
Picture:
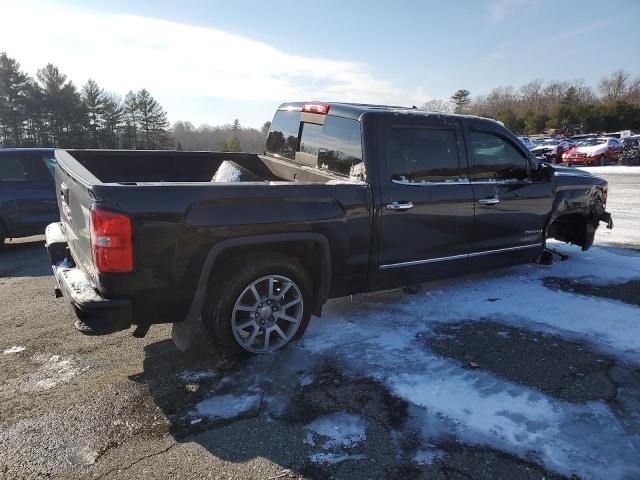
175	226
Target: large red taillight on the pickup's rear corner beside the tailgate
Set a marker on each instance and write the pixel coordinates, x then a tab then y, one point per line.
111	241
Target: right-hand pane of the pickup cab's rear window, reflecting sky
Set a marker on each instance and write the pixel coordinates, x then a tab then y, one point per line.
335	145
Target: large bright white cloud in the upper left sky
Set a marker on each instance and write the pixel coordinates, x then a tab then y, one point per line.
124	52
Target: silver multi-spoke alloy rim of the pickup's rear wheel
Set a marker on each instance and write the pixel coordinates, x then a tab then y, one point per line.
267	314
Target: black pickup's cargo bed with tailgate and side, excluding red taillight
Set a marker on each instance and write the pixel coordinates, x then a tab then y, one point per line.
182	204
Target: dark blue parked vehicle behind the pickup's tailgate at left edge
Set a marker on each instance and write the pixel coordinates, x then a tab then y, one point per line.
27	192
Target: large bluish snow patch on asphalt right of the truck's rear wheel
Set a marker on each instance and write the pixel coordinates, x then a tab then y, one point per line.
376	336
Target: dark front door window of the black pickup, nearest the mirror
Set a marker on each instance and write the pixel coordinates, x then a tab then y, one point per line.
495	159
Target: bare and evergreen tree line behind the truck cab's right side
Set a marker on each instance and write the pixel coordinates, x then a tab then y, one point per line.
570	106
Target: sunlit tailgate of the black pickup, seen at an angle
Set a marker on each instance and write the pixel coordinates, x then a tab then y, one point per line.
75	197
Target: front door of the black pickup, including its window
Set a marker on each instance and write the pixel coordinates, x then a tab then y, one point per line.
511	209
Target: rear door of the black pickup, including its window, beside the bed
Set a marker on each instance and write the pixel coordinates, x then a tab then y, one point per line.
426	210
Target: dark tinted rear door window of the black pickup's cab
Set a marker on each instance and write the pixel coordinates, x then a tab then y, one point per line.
421	155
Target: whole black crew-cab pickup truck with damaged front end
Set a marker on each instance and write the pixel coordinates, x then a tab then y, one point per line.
347	198
